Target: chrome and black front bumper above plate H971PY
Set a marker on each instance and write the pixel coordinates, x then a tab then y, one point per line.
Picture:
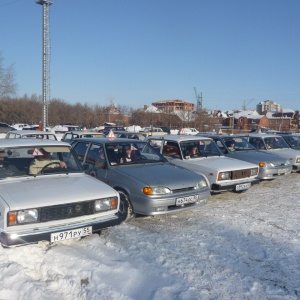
10	239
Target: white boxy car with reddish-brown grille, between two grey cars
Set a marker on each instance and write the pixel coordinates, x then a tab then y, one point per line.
201	155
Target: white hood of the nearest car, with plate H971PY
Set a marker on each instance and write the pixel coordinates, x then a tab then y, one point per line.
48	190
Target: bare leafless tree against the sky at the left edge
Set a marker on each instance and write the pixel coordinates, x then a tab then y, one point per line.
8	86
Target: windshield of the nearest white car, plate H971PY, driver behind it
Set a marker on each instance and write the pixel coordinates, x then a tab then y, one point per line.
37	160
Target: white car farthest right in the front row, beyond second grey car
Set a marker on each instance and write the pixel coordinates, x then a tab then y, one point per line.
276	144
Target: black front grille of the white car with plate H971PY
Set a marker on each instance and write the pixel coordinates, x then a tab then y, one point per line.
66	211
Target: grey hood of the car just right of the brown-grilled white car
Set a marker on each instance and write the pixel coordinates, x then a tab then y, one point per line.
257	156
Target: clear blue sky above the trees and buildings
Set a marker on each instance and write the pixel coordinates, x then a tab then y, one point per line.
135	52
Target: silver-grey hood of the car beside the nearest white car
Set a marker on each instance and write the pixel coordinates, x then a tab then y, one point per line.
165	174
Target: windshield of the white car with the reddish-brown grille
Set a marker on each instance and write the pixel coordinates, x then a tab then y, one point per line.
199	148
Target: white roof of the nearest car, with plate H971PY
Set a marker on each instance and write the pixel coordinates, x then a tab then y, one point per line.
30	142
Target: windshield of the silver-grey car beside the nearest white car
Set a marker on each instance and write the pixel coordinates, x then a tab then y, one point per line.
124	153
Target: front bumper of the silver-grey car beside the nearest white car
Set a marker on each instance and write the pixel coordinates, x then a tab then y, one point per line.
165	205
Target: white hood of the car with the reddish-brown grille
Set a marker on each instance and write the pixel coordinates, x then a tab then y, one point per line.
219	163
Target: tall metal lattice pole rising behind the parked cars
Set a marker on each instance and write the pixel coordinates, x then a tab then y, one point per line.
46	60
